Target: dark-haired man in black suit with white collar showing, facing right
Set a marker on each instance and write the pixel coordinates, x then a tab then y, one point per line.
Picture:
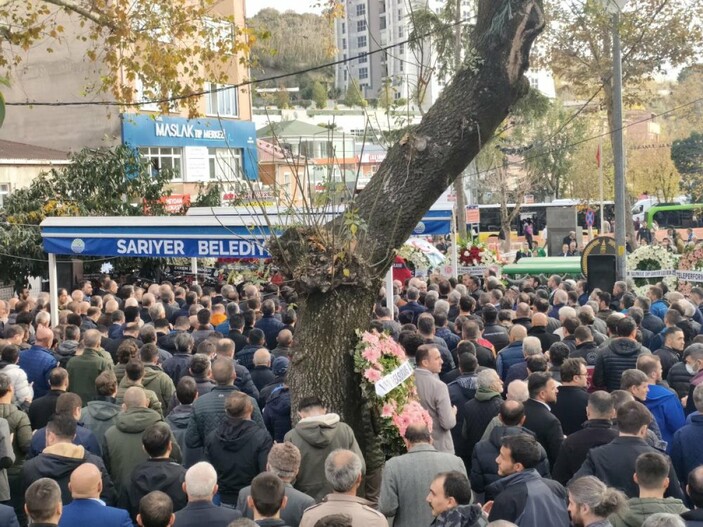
538	416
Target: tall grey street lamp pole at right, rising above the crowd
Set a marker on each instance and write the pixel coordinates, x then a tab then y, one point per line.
614	8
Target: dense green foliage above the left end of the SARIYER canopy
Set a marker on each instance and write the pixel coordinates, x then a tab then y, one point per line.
98	182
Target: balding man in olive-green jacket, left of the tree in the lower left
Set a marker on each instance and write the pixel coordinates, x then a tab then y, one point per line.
123	450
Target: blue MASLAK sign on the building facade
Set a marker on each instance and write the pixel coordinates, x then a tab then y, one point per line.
142	130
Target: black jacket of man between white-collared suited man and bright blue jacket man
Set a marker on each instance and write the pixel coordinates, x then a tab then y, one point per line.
575	447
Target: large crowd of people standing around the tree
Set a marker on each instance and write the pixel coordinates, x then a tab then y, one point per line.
551	405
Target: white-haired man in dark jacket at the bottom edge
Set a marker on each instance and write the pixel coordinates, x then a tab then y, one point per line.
201	486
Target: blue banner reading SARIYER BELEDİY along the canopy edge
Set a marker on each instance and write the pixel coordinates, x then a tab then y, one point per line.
158	247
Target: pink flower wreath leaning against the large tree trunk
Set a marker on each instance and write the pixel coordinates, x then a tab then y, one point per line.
376	356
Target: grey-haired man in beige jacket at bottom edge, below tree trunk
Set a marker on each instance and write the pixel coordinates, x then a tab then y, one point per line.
343	471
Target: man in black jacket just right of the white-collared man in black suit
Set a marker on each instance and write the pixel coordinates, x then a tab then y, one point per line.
570	406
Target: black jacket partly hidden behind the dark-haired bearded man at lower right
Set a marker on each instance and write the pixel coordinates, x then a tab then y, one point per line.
484	469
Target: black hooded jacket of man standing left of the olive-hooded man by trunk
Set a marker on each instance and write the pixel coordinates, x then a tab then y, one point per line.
238	449
